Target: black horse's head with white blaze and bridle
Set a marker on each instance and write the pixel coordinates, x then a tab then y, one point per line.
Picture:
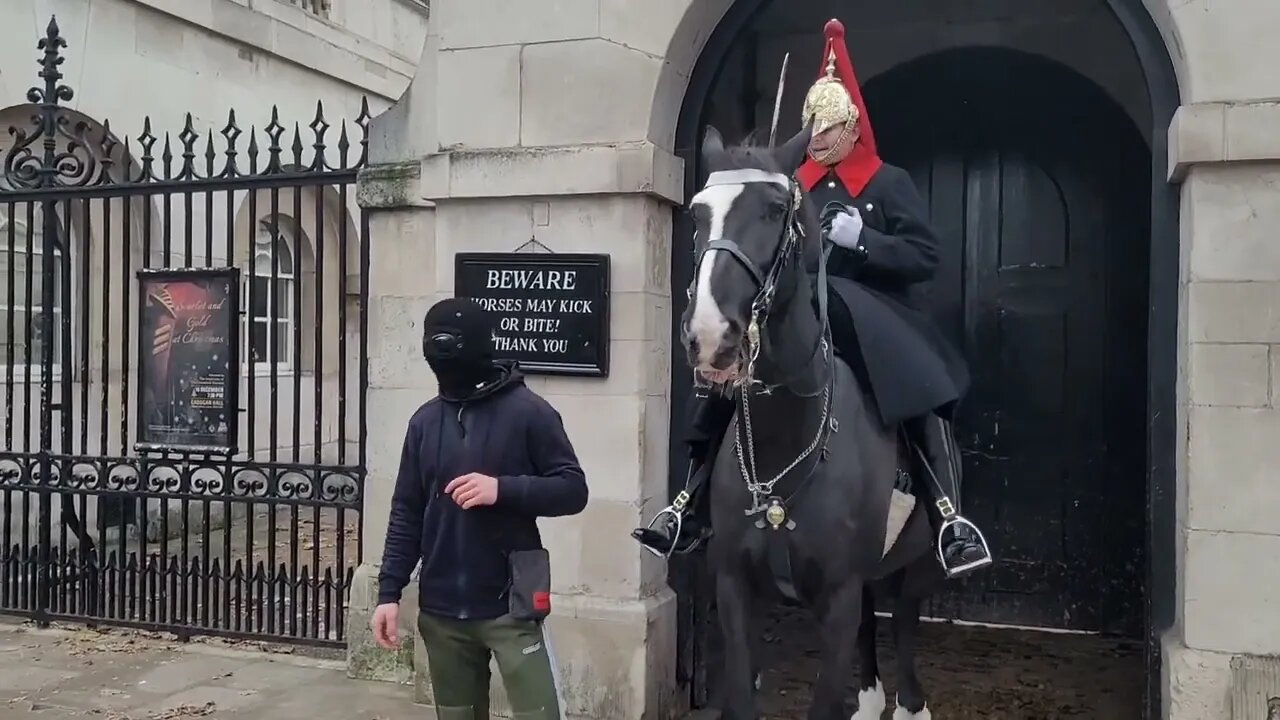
749	256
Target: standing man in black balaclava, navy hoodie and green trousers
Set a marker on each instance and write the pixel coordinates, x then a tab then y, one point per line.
482	462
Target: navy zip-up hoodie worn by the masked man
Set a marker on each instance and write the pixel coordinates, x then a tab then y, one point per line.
508	432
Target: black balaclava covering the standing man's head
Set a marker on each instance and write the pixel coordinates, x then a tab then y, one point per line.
458	343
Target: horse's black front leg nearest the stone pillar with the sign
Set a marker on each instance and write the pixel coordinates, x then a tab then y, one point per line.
734	613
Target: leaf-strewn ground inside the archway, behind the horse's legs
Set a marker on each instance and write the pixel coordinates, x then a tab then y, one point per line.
973	673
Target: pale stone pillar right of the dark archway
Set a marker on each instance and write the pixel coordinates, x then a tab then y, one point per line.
1220	658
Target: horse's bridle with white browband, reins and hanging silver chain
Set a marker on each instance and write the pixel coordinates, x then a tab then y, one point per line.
790	249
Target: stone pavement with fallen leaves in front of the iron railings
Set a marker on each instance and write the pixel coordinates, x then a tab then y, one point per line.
66	673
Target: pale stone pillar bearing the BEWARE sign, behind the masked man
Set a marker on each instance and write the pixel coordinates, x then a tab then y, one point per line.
614	623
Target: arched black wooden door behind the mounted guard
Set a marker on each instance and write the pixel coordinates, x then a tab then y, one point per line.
1039	186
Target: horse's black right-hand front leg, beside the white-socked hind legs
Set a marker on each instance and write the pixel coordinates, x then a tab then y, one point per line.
843	614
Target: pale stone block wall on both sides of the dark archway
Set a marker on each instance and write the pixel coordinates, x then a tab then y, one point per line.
570	142
